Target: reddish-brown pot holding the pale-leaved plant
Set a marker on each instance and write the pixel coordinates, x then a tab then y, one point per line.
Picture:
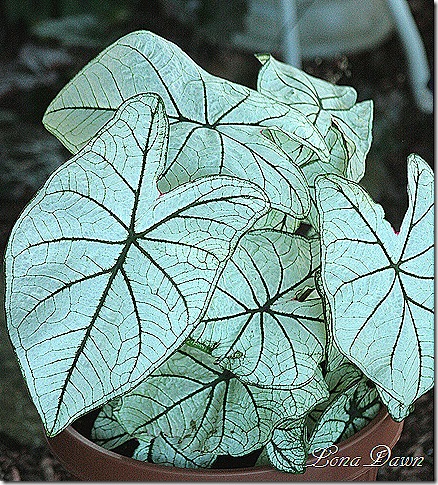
88	461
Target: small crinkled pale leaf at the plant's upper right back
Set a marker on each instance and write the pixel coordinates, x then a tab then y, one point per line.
325	105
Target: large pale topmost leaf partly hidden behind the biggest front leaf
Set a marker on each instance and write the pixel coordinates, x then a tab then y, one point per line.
214	124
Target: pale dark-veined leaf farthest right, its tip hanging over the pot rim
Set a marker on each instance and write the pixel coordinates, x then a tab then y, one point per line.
379	284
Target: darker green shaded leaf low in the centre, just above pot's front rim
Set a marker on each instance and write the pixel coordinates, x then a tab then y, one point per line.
204	409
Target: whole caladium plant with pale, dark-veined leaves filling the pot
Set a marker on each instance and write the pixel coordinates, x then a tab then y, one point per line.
206	269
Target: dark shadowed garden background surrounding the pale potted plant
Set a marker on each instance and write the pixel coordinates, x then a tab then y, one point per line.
43	43
